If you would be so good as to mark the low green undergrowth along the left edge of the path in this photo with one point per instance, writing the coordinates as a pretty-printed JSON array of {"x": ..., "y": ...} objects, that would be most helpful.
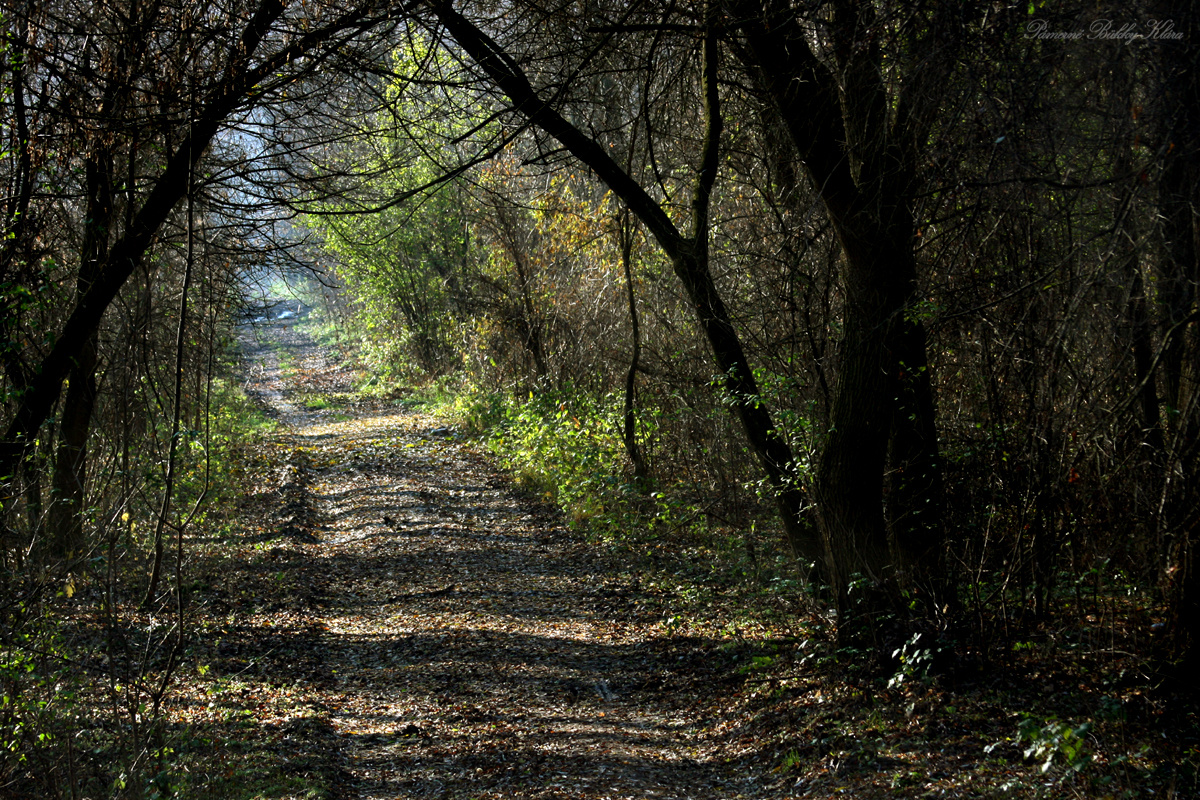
[{"x": 86, "y": 664}]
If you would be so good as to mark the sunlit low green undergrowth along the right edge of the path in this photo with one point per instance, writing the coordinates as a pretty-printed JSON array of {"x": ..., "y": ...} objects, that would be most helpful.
[{"x": 566, "y": 448}]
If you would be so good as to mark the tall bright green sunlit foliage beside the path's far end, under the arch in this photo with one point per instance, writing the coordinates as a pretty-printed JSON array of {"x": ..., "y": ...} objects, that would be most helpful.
[{"x": 404, "y": 267}]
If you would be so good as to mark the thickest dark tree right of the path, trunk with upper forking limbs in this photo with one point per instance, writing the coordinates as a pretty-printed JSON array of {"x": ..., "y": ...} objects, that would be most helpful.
[{"x": 879, "y": 480}]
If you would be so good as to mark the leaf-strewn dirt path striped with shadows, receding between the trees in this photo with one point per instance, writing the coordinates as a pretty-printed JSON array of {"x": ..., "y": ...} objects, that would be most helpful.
[{"x": 445, "y": 636}]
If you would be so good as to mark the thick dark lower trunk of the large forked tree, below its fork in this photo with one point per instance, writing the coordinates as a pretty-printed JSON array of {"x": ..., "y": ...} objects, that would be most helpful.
[{"x": 879, "y": 479}]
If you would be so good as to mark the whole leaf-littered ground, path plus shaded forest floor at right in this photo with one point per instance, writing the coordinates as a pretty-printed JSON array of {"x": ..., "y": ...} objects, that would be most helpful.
[{"x": 394, "y": 619}]
